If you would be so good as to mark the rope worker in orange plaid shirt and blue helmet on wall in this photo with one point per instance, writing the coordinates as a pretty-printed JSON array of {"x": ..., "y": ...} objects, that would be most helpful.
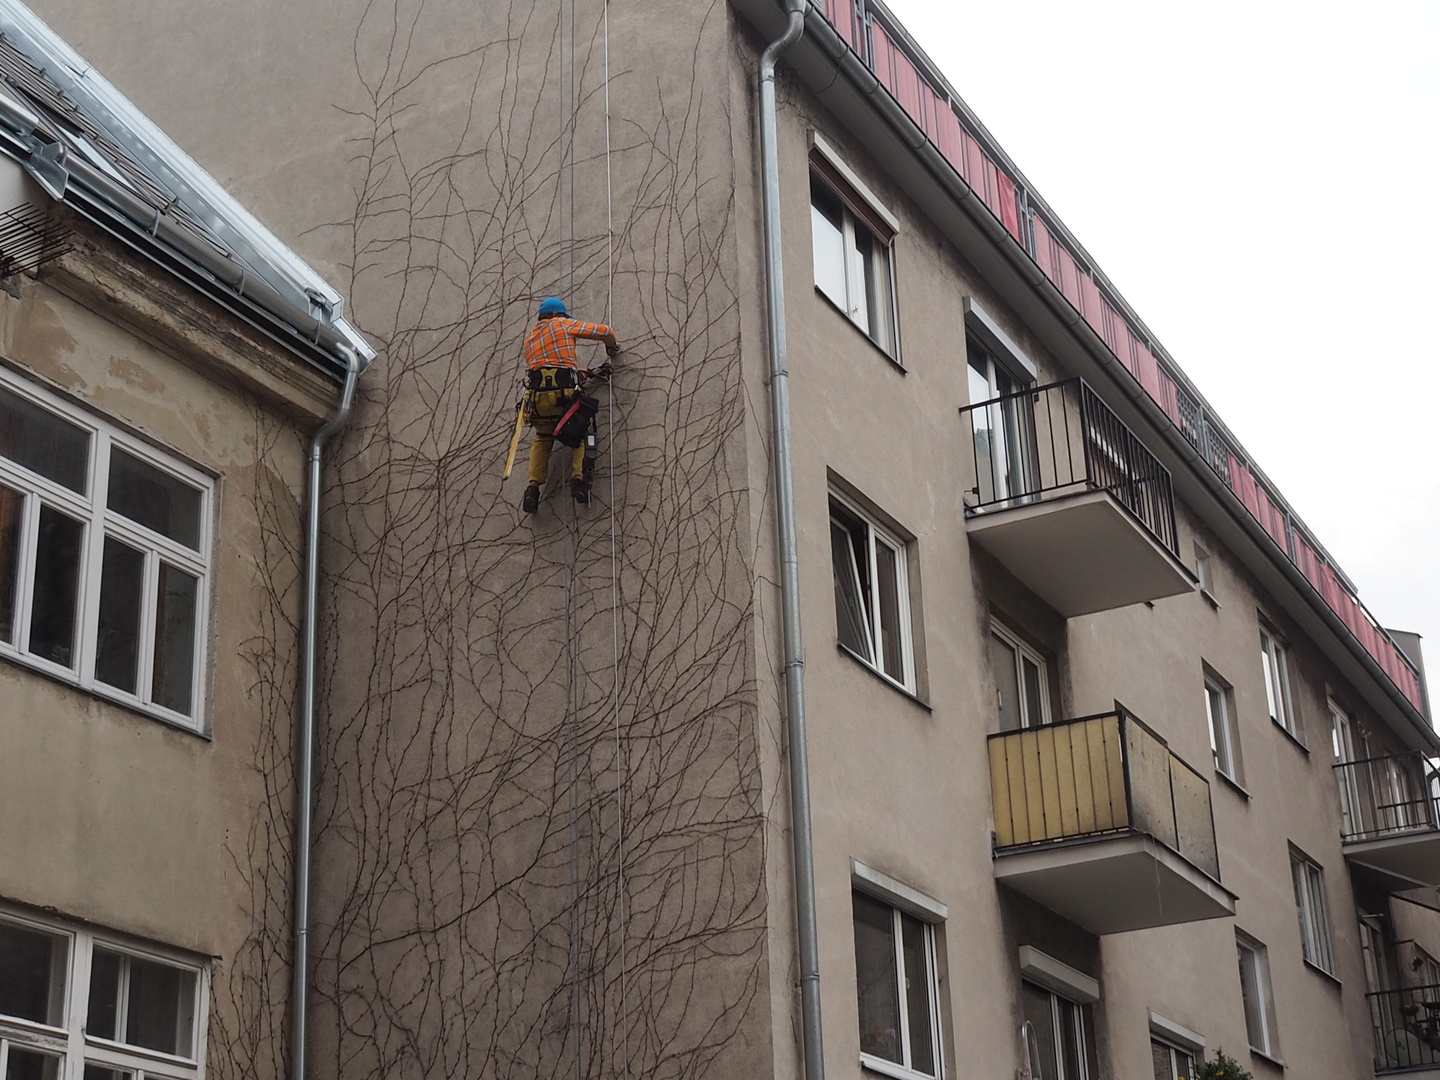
[{"x": 554, "y": 404}]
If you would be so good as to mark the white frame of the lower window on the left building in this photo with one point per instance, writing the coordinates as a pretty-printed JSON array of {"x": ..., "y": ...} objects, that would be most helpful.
[{"x": 70, "y": 1042}]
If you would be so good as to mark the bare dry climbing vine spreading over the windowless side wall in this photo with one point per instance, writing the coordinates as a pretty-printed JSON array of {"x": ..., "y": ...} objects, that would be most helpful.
[{"x": 539, "y": 833}]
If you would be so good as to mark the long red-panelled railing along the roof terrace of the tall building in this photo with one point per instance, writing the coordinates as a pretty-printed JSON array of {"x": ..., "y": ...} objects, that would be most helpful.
[{"x": 882, "y": 44}]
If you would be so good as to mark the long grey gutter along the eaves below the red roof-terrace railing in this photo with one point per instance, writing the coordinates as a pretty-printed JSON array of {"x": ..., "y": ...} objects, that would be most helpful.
[{"x": 843, "y": 63}]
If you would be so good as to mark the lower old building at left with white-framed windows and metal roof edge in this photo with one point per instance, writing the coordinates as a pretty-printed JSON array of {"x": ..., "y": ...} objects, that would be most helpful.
[{"x": 155, "y": 417}]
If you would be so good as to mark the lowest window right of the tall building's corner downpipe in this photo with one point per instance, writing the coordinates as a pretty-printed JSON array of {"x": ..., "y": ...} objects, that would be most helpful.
[{"x": 898, "y": 990}]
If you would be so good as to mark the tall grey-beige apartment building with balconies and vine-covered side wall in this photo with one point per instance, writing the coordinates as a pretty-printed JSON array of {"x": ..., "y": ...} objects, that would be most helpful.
[{"x": 1110, "y": 767}]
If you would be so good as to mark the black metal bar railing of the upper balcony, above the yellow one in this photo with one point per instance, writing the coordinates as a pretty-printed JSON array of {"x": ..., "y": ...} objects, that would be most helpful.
[{"x": 1061, "y": 440}]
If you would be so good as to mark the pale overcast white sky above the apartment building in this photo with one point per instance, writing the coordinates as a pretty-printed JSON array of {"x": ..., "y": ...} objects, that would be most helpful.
[{"x": 1258, "y": 179}]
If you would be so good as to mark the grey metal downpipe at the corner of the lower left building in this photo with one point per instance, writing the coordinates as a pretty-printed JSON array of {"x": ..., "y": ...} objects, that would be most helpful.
[{"x": 305, "y": 773}]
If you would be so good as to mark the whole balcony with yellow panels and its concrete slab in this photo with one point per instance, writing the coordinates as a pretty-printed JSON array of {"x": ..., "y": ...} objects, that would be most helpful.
[{"x": 1097, "y": 820}]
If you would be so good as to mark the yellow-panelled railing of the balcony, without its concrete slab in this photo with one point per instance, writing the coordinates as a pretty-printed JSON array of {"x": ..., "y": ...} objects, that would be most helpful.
[{"x": 1097, "y": 777}]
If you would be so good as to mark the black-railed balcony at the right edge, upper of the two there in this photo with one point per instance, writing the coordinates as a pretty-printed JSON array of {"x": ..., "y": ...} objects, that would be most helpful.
[{"x": 1390, "y": 819}]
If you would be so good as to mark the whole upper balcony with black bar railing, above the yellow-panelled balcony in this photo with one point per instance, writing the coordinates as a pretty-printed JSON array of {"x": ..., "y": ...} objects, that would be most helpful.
[{"x": 1071, "y": 502}]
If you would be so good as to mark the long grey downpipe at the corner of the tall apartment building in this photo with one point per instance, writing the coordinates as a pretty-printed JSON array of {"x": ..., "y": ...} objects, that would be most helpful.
[{"x": 804, "y": 852}]
